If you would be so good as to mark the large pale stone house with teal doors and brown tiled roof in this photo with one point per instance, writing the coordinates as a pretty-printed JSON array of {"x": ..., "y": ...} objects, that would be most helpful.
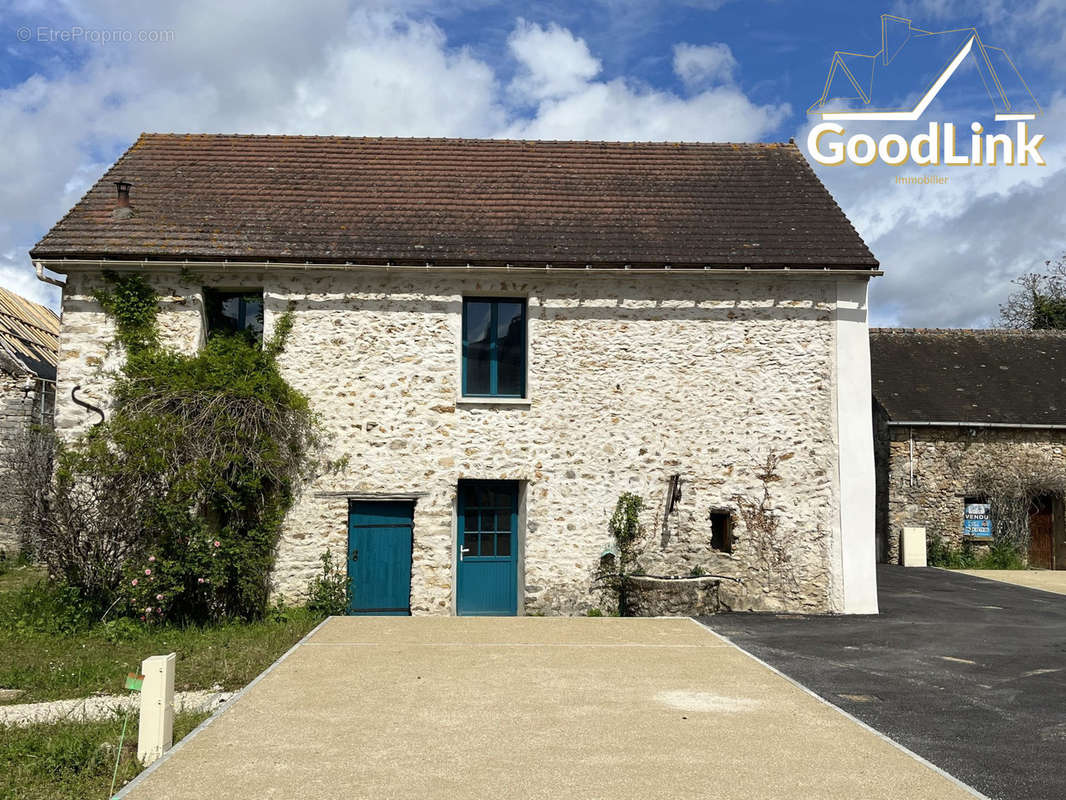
[{"x": 502, "y": 338}]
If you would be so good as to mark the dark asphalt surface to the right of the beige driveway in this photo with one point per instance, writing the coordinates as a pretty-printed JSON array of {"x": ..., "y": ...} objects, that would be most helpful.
[{"x": 968, "y": 674}]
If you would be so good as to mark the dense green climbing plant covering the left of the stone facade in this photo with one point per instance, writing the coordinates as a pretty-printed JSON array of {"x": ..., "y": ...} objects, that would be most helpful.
[{"x": 208, "y": 453}]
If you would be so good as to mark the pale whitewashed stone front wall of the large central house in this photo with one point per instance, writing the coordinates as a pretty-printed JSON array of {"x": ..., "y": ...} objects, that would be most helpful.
[{"x": 632, "y": 380}]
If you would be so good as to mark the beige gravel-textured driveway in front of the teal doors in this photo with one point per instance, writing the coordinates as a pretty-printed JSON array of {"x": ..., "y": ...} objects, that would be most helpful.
[{"x": 532, "y": 708}]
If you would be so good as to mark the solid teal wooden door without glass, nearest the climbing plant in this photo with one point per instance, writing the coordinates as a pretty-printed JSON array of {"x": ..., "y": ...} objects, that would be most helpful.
[{"x": 379, "y": 557}]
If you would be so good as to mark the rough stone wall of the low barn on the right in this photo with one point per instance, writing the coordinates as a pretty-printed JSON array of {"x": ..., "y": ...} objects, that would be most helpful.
[{"x": 929, "y": 490}]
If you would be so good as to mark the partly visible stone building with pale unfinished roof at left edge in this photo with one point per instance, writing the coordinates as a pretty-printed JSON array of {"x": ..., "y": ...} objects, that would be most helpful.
[{"x": 29, "y": 345}]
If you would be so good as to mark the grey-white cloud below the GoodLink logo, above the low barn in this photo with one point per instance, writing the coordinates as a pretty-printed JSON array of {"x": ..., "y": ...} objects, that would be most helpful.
[{"x": 950, "y": 251}]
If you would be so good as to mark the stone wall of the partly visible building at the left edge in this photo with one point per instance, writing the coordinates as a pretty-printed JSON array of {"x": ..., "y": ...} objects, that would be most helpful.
[{"x": 22, "y": 396}]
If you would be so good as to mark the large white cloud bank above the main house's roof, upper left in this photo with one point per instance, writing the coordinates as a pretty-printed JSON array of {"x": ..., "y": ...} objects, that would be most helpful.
[{"x": 357, "y": 69}]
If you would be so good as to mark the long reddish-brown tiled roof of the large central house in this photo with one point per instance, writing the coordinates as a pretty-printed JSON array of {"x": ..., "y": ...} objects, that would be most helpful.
[{"x": 456, "y": 202}]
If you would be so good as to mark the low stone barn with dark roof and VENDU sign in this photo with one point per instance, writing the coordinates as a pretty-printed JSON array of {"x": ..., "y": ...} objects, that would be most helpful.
[{"x": 950, "y": 403}]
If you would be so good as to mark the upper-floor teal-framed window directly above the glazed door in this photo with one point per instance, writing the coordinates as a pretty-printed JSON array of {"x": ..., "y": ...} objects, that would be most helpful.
[{"x": 494, "y": 347}]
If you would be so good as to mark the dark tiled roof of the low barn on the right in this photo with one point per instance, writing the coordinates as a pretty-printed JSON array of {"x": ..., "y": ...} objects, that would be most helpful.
[{"x": 971, "y": 376}]
